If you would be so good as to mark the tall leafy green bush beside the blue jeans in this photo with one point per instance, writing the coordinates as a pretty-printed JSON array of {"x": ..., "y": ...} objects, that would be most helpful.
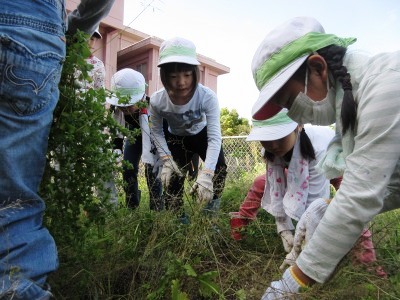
[{"x": 80, "y": 159}]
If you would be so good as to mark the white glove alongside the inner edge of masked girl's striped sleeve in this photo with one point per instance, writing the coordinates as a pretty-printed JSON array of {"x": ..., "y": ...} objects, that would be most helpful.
[{"x": 305, "y": 229}]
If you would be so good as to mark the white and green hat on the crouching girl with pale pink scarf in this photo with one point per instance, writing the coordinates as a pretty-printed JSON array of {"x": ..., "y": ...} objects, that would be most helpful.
[{"x": 273, "y": 128}]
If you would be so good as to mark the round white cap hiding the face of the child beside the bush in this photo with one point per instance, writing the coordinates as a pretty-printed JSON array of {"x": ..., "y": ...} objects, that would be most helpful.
[{"x": 127, "y": 82}]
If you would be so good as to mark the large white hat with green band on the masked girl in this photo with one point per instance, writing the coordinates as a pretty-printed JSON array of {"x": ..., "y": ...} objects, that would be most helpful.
[{"x": 281, "y": 54}]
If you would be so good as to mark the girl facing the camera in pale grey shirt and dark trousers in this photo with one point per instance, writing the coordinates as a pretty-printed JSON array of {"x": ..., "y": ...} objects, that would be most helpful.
[{"x": 193, "y": 117}]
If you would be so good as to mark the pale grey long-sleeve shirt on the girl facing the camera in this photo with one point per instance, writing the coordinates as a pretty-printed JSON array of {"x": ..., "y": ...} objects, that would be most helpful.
[{"x": 186, "y": 120}]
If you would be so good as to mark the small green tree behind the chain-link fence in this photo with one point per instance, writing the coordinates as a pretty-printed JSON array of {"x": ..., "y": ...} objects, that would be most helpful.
[{"x": 232, "y": 124}]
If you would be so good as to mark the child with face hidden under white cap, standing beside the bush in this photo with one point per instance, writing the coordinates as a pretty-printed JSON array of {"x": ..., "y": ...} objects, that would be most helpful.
[{"x": 132, "y": 113}]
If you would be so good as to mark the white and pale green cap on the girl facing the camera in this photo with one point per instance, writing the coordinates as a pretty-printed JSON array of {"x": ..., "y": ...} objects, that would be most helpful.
[{"x": 178, "y": 50}]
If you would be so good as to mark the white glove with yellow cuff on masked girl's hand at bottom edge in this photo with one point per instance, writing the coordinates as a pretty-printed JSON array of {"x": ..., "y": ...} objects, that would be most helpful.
[{"x": 286, "y": 288}]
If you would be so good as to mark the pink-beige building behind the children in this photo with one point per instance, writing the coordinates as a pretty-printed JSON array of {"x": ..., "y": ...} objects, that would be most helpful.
[{"x": 125, "y": 47}]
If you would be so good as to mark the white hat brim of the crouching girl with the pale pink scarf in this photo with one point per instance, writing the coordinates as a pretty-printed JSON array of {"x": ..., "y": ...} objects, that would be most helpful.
[{"x": 271, "y": 133}]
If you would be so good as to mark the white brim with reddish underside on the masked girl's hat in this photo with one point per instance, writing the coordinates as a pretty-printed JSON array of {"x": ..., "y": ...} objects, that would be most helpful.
[{"x": 263, "y": 109}]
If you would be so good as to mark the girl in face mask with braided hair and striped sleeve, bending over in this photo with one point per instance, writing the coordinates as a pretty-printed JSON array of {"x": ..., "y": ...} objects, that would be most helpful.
[{"x": 313, "y": 74}]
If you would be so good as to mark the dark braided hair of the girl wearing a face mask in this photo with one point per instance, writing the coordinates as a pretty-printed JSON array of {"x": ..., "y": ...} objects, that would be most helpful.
[{"x": 333, "y": 56}]
